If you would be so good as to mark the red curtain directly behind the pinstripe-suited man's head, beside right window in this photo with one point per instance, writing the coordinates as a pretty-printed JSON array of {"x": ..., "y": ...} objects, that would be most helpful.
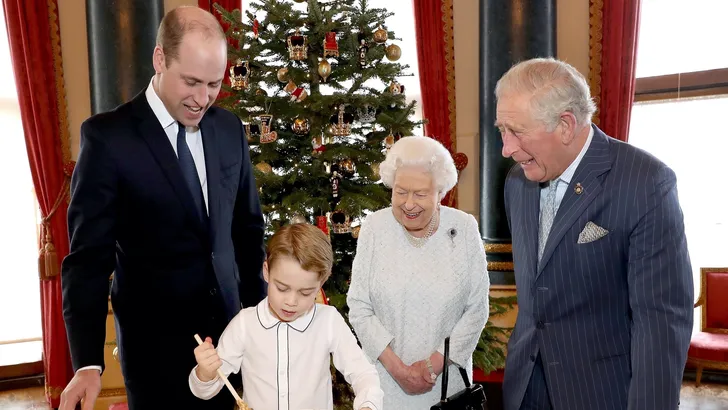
[{"x": 614, "y": 33}]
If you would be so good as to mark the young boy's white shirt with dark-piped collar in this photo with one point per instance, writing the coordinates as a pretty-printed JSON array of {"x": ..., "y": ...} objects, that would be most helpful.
[{"x": 285, "y": 365}]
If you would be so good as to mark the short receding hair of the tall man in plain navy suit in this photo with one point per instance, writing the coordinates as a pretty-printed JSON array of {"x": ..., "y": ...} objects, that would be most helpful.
[{"x": 175, "y": 25}]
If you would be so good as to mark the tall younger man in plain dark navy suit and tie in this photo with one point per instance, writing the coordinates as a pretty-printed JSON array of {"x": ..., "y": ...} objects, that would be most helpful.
[{"x": 163, "y": 196}]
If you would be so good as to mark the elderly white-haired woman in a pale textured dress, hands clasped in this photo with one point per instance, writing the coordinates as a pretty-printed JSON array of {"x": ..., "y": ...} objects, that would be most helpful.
[{"x": 419, "y": 276}]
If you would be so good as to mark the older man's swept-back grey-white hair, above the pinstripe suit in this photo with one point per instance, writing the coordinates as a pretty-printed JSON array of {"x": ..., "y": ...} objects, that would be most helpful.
[{"x": 555, "y": 87}]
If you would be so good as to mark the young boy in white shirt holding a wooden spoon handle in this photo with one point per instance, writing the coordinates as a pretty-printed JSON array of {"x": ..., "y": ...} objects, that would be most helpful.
[{"x": 284, "y": 344}]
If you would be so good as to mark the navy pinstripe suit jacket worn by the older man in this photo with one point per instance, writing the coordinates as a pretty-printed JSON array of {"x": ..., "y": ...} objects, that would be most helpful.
[{"x": 612, "y": 318}]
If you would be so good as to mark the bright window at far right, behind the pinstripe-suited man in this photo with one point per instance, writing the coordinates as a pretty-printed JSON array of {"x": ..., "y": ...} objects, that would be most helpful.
[{"x": 681, "y": 95}]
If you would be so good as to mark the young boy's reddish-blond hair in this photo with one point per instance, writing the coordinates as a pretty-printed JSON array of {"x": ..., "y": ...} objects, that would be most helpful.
[{"x": 304, "y": 243}]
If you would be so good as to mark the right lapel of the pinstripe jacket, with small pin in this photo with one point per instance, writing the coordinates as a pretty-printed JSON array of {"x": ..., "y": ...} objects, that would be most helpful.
[{"x": 595, "y": 162}]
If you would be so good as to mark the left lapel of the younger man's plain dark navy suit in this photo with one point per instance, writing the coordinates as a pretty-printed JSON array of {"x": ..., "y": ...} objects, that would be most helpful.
[{"x": 153, "y": 134}]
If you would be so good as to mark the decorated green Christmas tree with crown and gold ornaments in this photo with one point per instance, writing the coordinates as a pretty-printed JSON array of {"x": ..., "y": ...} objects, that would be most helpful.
[{"x": 315, "y": 84}]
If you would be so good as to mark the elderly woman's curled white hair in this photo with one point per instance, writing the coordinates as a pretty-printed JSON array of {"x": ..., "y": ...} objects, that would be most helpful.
[{"x": 421, "y": 152}]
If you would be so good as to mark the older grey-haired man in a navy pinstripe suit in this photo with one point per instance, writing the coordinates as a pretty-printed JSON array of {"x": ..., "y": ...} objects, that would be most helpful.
[{"x": 603, "y": 276}]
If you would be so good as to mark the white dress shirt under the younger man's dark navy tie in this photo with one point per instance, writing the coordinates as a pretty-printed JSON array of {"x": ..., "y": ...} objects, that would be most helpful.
[{"x": 193, "y": 136}]
